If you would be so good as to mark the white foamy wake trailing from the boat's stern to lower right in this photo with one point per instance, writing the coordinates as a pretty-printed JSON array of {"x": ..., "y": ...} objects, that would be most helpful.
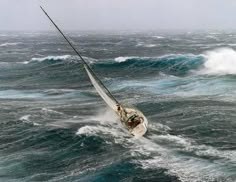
[{"x": 186, "y": 168}]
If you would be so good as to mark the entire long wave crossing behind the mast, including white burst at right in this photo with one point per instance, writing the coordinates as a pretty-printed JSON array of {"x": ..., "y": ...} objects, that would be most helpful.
[{"x": 219, "y": 61}]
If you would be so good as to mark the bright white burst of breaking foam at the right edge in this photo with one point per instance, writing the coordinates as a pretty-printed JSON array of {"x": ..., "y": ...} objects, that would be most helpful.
[{"x": 220, "y": 61}]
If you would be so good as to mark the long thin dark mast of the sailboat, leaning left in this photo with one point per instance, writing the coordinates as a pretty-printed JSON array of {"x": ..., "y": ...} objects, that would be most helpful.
[{"x": 82, "y": 59}]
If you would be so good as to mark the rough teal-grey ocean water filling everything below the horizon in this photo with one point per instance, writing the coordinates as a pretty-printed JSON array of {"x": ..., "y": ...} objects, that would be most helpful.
[{"x": 55, "y": 127}]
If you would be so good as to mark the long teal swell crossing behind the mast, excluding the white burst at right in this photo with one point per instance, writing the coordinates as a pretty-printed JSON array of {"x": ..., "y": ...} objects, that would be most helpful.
[{"x": 169, "y": 64}]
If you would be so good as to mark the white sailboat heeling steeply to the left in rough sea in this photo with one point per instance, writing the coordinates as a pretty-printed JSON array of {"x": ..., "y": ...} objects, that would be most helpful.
[{"x": 132, "y": 119}]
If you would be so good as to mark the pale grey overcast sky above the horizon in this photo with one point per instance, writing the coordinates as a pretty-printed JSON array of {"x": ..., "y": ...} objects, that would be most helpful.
[{"x": 119, "y": 14}]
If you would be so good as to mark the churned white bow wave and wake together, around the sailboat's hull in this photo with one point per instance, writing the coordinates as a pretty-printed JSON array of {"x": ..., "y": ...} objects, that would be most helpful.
[{"x": 152, "y": 153}]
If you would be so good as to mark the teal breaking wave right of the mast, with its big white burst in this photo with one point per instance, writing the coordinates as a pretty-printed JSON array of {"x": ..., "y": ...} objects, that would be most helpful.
[{"x": 215, "y": 62}]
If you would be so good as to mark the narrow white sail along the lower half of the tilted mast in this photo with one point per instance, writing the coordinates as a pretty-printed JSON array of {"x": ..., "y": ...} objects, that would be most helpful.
[{"x": 110, "y": 102}]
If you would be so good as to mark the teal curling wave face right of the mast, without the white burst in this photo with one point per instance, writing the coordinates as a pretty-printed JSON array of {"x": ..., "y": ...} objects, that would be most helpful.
[{"x": 174, "y": 64}]
